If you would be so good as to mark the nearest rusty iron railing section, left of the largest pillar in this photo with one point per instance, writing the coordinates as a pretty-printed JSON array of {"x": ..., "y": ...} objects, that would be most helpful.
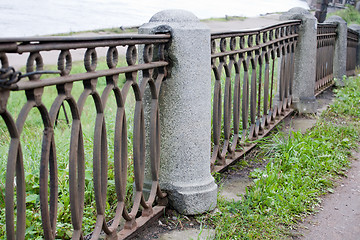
[{"x": 152, "y": 69}]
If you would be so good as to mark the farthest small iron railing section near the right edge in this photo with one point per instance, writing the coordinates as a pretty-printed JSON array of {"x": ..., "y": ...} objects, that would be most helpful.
[{"x": 352, "y": 42}]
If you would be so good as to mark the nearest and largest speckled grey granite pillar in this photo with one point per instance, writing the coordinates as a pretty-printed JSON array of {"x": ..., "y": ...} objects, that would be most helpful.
[{"x": 185, "y": 113}]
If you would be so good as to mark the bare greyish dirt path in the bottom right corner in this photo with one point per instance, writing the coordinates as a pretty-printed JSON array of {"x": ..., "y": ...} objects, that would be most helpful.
[{"x": 339, "y": 215}]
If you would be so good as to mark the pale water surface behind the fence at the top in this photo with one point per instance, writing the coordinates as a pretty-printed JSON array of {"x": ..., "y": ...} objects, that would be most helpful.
[{"x": 29, "y": 18}]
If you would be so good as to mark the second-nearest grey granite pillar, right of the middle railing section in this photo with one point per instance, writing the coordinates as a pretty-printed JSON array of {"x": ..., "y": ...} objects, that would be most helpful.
[{"x": 304, "y": 99}]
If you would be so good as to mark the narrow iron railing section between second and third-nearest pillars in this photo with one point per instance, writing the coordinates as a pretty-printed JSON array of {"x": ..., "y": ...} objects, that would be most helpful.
[{"x": 326, "y": 37}]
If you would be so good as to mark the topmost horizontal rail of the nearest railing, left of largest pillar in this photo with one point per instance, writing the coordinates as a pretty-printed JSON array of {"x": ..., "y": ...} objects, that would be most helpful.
[{"x": 35, "y": 44}]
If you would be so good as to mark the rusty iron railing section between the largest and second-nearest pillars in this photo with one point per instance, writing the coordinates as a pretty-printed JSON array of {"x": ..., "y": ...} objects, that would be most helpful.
[{"x": 253, "y": 72}]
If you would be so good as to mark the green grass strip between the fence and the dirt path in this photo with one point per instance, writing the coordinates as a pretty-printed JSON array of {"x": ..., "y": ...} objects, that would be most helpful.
[{"x": 301, "y": 168}]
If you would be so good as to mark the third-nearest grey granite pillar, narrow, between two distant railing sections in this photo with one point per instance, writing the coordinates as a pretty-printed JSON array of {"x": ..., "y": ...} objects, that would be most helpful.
[{"x": 340, "y": 48}]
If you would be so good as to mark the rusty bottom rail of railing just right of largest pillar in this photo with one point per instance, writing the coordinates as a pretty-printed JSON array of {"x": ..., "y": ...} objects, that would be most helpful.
[{"x": 247, "y": 148}]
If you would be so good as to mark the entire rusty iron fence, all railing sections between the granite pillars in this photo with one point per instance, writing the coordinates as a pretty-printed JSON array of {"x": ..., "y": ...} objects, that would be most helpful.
[{"x": 253, "y": 74}]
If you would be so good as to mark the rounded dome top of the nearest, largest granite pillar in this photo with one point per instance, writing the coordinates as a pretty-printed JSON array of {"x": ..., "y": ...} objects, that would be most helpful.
[{"x": 174, "y": 15}]
